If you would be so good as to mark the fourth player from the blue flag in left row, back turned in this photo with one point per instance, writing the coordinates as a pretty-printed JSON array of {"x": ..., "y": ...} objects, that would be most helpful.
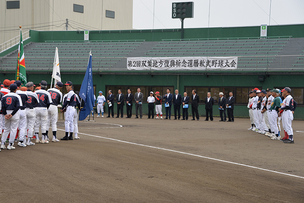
[{"x": 31, "y": 104}]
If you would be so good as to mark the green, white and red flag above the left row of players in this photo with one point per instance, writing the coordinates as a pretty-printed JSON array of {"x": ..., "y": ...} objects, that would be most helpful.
[{"x": 20, "y": 71}]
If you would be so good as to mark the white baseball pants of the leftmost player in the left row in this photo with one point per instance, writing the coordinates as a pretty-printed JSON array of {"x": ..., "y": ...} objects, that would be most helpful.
[{"x": 10, "y": 127}]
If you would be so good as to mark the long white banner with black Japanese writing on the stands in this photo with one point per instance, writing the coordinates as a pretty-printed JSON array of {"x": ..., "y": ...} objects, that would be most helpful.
[{"x": 181, "y": 63}]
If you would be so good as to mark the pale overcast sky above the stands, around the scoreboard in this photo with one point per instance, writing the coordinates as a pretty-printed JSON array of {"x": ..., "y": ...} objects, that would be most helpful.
[{"x": 223, "y": 13}]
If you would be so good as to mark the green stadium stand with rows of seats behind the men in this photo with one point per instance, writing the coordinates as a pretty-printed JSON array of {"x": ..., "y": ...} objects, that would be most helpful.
[{"x": 273, "y": 61}]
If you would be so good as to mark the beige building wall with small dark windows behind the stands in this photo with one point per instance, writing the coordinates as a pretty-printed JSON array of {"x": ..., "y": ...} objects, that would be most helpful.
[{"x": 52, "y": 14}]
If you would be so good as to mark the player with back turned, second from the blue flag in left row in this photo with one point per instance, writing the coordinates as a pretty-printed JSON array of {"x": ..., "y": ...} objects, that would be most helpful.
[{"x": 56, "y": 97}]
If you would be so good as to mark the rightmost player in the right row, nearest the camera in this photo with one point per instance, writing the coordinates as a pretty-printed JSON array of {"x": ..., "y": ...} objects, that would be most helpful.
[{"x": 287, "y": 114}]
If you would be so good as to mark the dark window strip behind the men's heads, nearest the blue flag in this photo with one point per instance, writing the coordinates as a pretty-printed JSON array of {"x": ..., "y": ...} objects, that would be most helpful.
[{"x": 144, "y": 89}]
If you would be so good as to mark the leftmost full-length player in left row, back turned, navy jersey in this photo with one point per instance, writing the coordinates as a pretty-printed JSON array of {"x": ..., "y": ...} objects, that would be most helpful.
[{"x": 10, "y": 109}]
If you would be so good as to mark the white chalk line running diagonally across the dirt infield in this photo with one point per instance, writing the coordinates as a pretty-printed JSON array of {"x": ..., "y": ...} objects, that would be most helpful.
[{"x": 190, "y": 154}]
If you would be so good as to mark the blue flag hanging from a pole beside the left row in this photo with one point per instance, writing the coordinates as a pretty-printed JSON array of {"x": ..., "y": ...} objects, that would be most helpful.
[{"x": 87, "y": 92}]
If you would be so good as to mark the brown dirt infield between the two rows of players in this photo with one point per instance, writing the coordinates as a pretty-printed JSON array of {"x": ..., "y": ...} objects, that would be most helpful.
[{"x": 155, "y": 161}]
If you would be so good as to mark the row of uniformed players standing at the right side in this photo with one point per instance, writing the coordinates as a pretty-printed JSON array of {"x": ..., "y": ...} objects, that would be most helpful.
[{"x": 267, "y": 108}]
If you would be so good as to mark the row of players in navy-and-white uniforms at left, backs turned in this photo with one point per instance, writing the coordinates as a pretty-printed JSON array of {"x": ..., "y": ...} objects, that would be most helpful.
[{"x": 25, "y": 110}]
